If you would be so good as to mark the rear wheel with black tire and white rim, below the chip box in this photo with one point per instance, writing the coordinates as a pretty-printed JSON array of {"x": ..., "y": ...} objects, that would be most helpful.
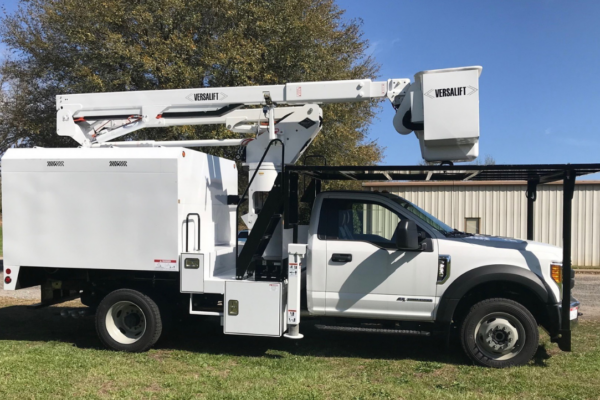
[{"x": 128, "y": 320}]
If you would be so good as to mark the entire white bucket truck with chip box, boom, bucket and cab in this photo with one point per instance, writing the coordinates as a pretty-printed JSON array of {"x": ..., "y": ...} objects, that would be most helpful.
[{"x": 136, "y": 229}]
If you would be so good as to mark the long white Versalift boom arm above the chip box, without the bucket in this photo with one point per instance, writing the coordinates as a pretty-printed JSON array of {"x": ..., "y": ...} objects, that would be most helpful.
[{"x": 99, "y": 117}]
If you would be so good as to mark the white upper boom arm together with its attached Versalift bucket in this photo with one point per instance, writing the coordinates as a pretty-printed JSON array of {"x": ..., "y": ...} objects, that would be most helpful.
[{"x": 441, "y": 107}]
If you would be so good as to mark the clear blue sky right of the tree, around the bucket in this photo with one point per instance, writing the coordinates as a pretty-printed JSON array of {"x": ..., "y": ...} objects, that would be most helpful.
[{"x": 540, "y": 86}]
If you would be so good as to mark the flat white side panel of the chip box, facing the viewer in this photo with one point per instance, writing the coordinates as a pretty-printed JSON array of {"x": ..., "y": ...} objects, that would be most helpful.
[{"x": 90, "y": 208}]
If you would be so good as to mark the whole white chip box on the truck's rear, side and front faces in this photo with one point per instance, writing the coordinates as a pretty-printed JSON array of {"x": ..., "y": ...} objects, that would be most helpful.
[{"x": 114, "y": 208}]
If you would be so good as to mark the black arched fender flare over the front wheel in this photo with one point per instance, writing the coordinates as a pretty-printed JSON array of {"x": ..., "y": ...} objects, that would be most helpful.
[{"x": 489, "y": 273}]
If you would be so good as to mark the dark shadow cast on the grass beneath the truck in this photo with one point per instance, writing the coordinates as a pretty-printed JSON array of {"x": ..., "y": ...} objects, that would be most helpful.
[{"x": 205, "y": 335}]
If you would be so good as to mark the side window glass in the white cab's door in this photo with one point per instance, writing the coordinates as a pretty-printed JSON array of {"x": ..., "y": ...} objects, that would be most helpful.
[{"x": 358, "y": 220}]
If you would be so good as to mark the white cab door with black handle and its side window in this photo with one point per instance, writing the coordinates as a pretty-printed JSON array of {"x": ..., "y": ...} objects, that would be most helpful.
[{"x": 367, "y": 276}]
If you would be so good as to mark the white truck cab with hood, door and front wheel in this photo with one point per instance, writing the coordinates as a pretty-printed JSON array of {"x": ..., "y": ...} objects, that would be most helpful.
[{"x": 377, "y": 256}]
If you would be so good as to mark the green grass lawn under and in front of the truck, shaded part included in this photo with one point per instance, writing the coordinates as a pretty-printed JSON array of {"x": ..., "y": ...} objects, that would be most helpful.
[{"x": 42, "y": 356}]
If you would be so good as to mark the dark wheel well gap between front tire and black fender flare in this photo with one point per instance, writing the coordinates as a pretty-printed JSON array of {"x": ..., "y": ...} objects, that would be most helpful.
[{"x": 508, "y": 290}]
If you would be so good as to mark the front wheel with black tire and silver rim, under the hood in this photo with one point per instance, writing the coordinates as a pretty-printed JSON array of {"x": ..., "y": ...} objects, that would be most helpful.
[{"x": 499, "y": 333}]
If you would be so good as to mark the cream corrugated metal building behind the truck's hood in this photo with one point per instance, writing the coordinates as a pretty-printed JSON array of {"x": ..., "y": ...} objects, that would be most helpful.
[{"x": 500, "y": 208}]
